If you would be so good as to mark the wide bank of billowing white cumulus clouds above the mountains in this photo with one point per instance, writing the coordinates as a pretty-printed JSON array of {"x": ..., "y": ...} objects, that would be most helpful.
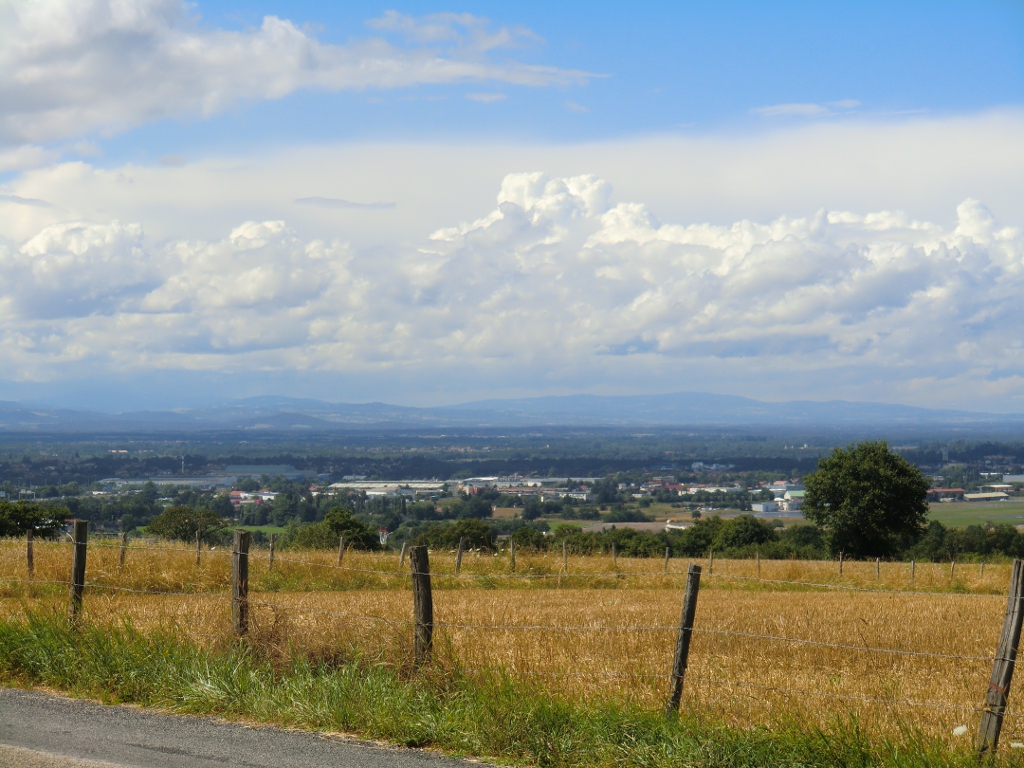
[{"x": 559, "y": 275}]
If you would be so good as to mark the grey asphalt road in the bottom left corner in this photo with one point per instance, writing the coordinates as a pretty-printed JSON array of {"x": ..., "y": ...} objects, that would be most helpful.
[{"x": 39, "y": 731}]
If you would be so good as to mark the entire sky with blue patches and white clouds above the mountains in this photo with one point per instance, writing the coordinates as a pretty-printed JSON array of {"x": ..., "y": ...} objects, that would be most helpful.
[{"x": 428, "y": 204}]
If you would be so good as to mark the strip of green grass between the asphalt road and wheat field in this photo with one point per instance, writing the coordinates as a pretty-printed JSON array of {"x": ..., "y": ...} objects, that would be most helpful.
[{"x": 505, "y": 720}]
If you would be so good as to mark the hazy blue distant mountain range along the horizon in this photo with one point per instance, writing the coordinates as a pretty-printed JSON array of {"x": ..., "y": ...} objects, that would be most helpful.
[{"x": 681, "y": 409}]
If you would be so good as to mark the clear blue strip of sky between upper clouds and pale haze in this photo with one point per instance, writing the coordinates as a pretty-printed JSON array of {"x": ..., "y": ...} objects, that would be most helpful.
[{"x": 695, "y": 68}]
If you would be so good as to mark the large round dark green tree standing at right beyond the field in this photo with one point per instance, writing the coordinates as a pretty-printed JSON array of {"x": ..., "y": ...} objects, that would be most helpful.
[{"x": 868, "y": 501}]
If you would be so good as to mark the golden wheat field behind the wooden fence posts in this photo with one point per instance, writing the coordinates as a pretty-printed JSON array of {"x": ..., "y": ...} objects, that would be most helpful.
[{"x": 800, "y": 642}]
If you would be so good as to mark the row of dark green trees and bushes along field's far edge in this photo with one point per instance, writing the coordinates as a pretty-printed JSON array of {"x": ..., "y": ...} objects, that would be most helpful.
[{"x": 864, "y": 501}]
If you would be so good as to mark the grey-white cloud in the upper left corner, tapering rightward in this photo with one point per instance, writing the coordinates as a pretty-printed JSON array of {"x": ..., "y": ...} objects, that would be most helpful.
[{"x": 68, "y": 67}]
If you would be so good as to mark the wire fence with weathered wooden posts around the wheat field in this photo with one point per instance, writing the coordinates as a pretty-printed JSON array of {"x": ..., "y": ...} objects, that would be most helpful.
[{"x": 422, "y": 624}]
